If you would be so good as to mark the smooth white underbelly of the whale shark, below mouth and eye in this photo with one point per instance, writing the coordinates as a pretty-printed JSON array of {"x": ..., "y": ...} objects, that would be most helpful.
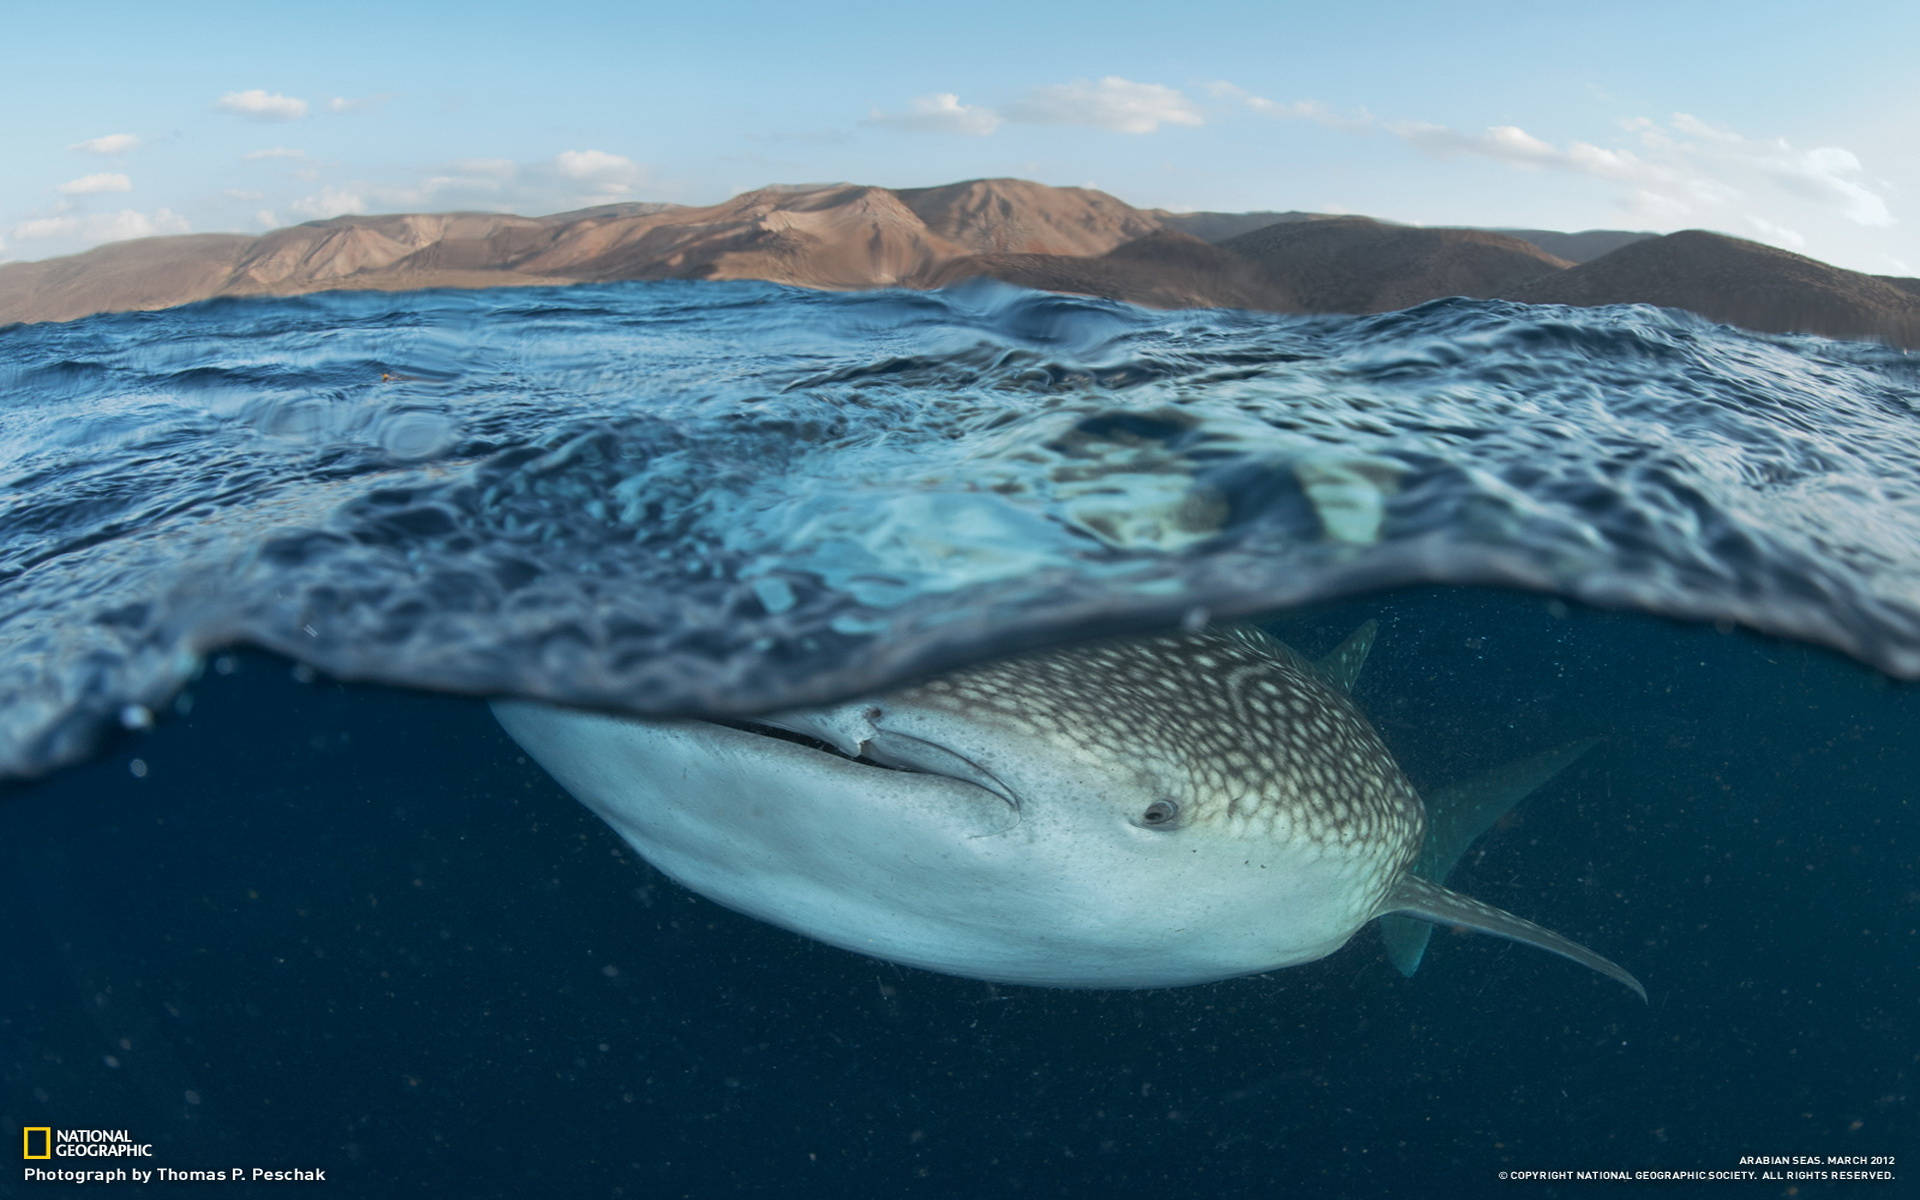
[{"x": 913, "y": 869}]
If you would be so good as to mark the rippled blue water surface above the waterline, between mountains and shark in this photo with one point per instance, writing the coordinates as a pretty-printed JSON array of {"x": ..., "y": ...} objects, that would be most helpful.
[{"x": 719, "y": 498}]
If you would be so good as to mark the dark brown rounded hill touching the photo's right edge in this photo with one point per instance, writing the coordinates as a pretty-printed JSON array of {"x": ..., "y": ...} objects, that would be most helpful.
[{"x": 1740, "y": 283}]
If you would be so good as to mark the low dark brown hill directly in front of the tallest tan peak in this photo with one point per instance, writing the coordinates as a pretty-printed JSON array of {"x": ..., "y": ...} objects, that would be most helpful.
[{"x": 1164, "y": 270}]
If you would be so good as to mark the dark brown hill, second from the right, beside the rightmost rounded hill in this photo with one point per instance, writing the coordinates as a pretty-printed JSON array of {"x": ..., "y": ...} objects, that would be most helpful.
[{"x": 1362, "y": 266}]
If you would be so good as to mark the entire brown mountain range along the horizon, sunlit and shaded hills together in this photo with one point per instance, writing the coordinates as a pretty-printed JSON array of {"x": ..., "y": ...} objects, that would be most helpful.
[{"x": 1059, "y": 239}]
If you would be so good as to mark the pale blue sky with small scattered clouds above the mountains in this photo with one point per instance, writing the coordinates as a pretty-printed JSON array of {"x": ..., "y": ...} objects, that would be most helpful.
[{"x": 1785, "y": 124}]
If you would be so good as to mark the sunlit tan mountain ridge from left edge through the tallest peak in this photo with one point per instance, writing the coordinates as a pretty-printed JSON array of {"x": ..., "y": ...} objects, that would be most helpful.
[{"x": 823, "y": 237}]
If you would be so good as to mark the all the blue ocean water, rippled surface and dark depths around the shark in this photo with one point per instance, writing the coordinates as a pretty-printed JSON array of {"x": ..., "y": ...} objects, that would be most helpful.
[{"x": 285, "y": 896}]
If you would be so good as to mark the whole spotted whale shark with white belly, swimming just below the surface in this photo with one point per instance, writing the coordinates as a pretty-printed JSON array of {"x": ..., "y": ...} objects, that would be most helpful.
[{"x": 1134, "y": 813}]
